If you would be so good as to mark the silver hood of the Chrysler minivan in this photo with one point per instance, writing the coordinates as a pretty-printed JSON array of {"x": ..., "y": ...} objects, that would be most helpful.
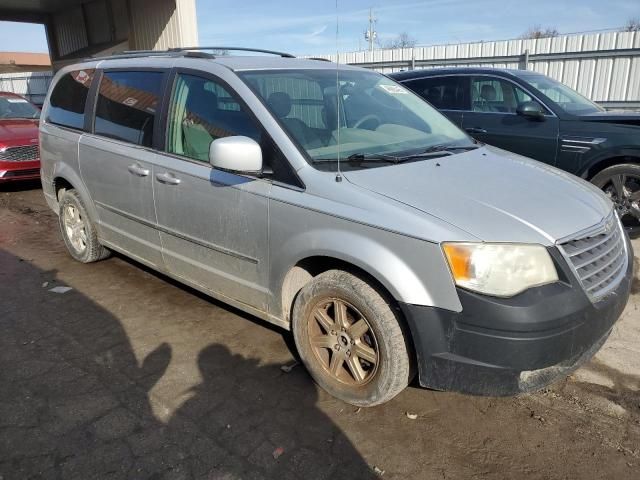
[{"x": 492, "y": 194}]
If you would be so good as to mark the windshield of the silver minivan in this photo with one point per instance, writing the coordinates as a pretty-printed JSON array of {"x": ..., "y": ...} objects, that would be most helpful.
[{"x": 376, "y": 116}]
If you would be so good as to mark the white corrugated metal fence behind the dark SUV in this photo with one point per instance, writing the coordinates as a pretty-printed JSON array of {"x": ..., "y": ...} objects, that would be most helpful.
[{"x": 613, "y": 77}]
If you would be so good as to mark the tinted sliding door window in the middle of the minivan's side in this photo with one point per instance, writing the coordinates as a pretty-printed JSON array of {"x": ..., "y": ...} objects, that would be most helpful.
[{"x": 127, "y": 106}]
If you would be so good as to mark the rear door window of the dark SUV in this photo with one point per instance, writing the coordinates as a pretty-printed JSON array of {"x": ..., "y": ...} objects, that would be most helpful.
[{"x": 446, "y": 93}]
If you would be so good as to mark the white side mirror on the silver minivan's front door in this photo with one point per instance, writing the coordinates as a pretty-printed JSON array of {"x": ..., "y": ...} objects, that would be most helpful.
[{"x": 236, "y": 154}]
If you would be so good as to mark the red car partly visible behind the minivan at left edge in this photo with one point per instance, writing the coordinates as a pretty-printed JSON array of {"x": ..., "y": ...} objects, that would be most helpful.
[{"x": 19, "y": 152}]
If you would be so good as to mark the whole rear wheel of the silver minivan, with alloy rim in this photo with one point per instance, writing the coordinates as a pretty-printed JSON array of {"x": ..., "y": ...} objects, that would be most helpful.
[{"x": 78, "y": 232}]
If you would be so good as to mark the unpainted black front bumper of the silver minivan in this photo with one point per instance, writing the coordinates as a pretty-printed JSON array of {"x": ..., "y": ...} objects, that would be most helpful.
[{"x": 498, "y": 346}]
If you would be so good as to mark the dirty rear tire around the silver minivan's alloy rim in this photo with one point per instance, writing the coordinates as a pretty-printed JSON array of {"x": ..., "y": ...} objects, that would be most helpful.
[{"x": 92, "y": 250}]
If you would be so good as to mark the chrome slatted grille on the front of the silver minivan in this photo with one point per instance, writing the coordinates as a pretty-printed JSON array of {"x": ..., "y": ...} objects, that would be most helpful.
[{"x": 598, "y": 257}]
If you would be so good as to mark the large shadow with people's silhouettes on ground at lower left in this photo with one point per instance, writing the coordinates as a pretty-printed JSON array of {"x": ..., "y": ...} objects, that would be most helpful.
[{"x": 75, "y": 402}]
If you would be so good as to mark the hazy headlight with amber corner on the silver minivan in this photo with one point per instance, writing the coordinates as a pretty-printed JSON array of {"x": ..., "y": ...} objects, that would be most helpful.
[{"x": 499, "y": 269}]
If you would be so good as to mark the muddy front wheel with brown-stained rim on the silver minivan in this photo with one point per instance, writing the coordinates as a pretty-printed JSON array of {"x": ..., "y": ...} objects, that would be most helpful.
[{"x": 391, "y": 371}]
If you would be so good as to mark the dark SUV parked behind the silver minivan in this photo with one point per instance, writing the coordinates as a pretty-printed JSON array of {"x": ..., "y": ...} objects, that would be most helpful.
[{"x": 533, "y": 115}]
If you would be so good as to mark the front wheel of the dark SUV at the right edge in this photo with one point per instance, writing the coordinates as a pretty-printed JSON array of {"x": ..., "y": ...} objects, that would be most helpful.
[{"x": 627, "y": 201}]
